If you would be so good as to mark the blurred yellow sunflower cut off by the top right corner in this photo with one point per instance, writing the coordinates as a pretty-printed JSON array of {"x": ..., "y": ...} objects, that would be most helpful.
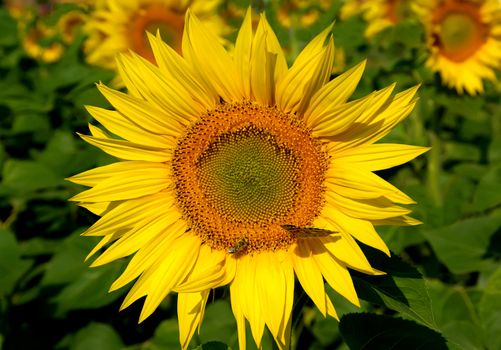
[{"x": 464, "y": 41}]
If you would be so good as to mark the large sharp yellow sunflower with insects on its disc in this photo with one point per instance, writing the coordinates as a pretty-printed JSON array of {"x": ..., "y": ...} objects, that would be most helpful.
[{"x": 239, "y": 170}]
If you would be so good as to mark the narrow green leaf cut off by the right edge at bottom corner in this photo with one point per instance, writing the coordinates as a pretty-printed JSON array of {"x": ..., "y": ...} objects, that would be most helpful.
[{"x": 490, "y": 311}]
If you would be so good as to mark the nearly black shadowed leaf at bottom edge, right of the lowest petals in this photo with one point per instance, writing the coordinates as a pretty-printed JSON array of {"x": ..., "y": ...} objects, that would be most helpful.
[{"x": 370, "y": 331}]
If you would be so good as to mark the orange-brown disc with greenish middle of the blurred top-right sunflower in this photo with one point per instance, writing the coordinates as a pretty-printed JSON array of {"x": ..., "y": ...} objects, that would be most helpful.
[{"x": 461, "y": 31}]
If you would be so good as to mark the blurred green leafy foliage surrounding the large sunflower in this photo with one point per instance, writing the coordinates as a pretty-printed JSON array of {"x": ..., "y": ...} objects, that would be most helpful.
[{"x": 448, "y": 268}]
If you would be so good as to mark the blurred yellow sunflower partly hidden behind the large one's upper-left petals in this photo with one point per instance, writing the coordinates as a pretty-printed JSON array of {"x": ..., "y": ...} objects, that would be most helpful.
[{"x": 118, "y": 26}]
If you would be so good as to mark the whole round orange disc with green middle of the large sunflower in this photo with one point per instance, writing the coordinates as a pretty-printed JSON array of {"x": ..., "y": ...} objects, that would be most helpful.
[{"x": 243, "y": 171}]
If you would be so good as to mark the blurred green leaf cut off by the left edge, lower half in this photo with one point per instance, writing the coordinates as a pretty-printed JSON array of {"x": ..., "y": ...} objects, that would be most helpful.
[{"x": 12, "y": 267}]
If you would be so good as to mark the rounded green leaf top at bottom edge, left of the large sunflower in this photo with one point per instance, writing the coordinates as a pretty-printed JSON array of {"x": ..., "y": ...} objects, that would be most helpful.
[{"x": 97, "y": 336}]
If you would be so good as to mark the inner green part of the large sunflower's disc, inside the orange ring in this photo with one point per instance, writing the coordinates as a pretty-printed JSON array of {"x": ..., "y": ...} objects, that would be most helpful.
[{"x": 248, "y": 177}]
